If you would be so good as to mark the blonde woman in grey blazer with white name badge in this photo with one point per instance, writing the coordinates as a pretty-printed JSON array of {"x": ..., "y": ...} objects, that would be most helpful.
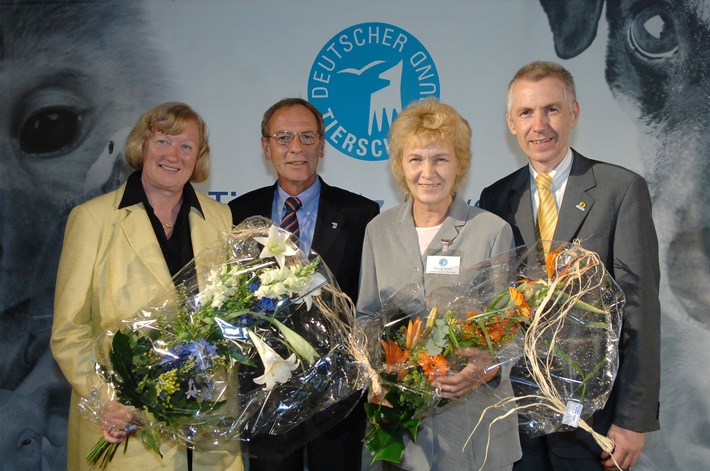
[{"x": 430, "y": 153}]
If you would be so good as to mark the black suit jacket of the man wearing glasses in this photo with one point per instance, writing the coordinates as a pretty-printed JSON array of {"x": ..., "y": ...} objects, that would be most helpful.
[{"x": 337, "y": 238}]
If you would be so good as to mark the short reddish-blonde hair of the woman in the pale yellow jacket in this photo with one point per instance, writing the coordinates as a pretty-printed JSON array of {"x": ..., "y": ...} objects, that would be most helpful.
[{"x": 168, "y": 118}]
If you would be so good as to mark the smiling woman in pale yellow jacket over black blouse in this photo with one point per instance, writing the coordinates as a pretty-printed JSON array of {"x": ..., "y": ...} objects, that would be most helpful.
[{"x": 120, "y": 250}]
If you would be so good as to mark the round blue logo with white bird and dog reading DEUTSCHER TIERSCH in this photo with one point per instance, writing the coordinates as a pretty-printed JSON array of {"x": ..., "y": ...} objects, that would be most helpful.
[{"x": 361, "y": 80}]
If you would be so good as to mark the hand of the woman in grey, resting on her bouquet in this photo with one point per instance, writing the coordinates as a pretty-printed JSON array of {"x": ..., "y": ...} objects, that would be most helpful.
[{"x": 481, "y": 368}]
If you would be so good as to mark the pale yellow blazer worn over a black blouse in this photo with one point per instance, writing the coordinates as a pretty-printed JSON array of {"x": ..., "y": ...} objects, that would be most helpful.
[{"x": 111, "y": 265}]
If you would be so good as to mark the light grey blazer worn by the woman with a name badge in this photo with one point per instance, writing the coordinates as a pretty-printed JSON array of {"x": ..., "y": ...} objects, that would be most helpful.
[{"x": 390, "y": 260}]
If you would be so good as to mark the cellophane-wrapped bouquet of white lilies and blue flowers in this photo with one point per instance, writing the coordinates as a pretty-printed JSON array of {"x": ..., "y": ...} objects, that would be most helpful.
[{"x": 256, "y": 339}]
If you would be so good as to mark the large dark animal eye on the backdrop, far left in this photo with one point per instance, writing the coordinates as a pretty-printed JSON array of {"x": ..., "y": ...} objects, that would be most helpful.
[{"x": 50, "y": 124}]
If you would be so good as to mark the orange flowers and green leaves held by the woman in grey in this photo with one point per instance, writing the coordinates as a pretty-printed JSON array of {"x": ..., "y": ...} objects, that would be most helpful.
[{"x": 414, "y": 350}]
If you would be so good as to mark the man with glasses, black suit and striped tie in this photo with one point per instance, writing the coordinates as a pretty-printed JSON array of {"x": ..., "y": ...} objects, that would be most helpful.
[{"x": 331, "y": 221}]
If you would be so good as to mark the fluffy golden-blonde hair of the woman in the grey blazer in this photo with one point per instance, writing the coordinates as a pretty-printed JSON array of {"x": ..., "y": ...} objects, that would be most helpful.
[{"x": 429, "y": 122}]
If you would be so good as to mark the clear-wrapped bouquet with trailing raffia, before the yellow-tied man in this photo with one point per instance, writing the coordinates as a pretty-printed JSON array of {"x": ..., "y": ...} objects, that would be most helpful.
[{"x": 571, "y": 353}]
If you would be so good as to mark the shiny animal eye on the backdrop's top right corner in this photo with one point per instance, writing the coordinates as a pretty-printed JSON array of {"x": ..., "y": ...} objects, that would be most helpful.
[{"x": 652, "y": 32}]
